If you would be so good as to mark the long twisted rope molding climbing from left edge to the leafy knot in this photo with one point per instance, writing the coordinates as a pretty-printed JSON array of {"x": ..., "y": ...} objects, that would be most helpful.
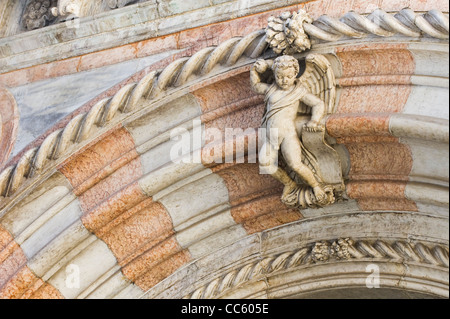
[{"x": 125, "y": 101}]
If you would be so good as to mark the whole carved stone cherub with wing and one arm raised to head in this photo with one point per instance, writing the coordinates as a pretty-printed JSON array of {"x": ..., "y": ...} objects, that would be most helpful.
[{"x": 285, "y": 99}]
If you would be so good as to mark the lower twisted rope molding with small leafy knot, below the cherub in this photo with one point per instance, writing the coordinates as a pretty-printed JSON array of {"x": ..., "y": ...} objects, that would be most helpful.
[{"x": 324, "y": 251}]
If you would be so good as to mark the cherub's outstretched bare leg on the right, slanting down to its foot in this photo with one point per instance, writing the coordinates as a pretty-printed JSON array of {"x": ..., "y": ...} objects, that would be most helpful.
[{"x": 292, "y": 153}]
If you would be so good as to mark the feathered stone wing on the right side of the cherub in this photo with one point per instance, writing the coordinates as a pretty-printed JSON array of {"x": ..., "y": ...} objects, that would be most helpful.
[{"x": 319, "y": 79}]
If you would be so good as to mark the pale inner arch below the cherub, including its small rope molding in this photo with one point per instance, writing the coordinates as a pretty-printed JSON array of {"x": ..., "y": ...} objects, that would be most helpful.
[{"x": 302, "y": 260}]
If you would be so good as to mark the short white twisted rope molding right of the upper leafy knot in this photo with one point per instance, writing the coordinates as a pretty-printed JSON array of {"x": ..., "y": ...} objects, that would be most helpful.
[{"x": 379, "y": 23}]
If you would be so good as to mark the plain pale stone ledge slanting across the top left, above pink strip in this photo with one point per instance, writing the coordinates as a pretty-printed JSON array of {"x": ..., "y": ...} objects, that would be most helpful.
[{"x": 122, "y": 26}]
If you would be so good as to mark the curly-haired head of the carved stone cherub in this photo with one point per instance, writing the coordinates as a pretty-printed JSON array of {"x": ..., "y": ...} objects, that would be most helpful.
[{"x": 285, "y": 69}]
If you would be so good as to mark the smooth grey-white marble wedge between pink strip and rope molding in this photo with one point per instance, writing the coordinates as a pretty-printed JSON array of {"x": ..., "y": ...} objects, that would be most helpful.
[{"x": 38, "y": 109}]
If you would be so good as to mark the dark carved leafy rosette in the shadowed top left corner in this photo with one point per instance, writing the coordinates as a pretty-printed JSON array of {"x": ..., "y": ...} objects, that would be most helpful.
[{"x": 38, "y": 14}]
